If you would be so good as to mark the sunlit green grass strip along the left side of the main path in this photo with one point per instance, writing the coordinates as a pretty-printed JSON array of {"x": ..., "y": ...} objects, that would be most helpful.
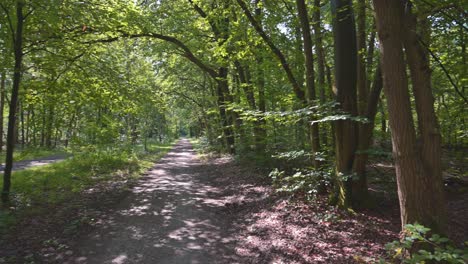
[{"x": 53, "y": 184}]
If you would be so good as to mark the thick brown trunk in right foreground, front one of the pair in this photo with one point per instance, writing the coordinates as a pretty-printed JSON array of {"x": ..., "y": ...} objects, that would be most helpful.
[{"x": 418, "y": 201}]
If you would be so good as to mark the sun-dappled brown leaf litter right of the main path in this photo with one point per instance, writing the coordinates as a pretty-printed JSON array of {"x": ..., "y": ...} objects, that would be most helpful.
[{"x": 292, "y": 233}]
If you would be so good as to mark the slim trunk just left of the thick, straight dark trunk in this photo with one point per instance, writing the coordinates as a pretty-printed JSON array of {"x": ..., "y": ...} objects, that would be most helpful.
[{"x": 310, "y": 75}]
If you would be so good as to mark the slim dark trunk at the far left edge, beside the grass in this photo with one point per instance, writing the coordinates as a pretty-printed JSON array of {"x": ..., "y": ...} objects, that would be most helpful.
[{"x": 18, "y": 48}]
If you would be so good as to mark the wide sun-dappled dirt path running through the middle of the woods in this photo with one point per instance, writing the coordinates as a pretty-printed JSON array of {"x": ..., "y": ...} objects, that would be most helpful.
[{"x": 174, "y": 214}]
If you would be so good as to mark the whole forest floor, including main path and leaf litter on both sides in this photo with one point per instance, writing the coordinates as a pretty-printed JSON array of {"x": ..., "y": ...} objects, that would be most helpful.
[{"x": 189, "y": 210}]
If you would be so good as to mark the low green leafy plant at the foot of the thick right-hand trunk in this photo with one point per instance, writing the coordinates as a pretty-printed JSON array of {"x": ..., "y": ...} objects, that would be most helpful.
[{"x": 419, "y": 245}]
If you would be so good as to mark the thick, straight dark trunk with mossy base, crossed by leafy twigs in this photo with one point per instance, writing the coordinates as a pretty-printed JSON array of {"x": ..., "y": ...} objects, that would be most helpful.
[{"x": 345, "y": 79}]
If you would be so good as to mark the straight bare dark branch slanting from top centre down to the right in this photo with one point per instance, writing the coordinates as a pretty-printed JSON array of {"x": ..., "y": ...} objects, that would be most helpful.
[{"x": 296, "y": 87}]
